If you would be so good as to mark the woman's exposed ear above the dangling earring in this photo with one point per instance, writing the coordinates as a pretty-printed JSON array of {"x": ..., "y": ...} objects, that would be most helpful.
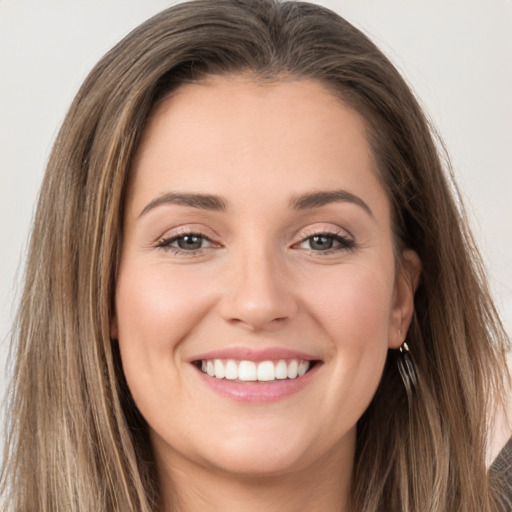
[{"x": 403, "y": 298}]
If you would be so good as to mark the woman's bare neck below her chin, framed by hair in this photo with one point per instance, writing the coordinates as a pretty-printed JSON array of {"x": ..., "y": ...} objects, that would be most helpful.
[{"x": 188, "y": 487}]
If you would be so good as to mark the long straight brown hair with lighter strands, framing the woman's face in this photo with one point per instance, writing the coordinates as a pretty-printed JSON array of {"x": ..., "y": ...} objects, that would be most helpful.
[{"x": 76, "y": 440}]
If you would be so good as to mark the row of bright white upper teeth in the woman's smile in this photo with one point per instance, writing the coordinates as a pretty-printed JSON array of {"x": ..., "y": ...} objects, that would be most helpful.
[{"x": 263, "y": 371}]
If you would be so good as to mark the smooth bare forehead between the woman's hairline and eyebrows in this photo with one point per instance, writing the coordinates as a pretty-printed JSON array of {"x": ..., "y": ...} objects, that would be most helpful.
[{"x": 232, "y": 134}]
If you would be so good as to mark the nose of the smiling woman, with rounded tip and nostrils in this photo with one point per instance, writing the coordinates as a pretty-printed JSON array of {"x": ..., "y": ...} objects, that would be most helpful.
[{"x": 258, "y": 295}]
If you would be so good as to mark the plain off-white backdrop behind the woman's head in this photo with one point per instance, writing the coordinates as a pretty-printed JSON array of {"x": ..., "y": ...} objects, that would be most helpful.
[{"x": 456, "y": 54}]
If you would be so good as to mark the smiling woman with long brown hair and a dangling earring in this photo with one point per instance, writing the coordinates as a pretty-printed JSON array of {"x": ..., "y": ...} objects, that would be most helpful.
[{"x": 257, "y": 288}]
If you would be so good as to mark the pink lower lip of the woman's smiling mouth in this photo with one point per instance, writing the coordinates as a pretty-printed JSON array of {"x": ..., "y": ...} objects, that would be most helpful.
[{"x": 271, "y": 391}]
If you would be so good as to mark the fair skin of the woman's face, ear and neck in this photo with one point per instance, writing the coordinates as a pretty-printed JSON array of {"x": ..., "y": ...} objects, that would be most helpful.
[{"x": 257, "y": 282}]
